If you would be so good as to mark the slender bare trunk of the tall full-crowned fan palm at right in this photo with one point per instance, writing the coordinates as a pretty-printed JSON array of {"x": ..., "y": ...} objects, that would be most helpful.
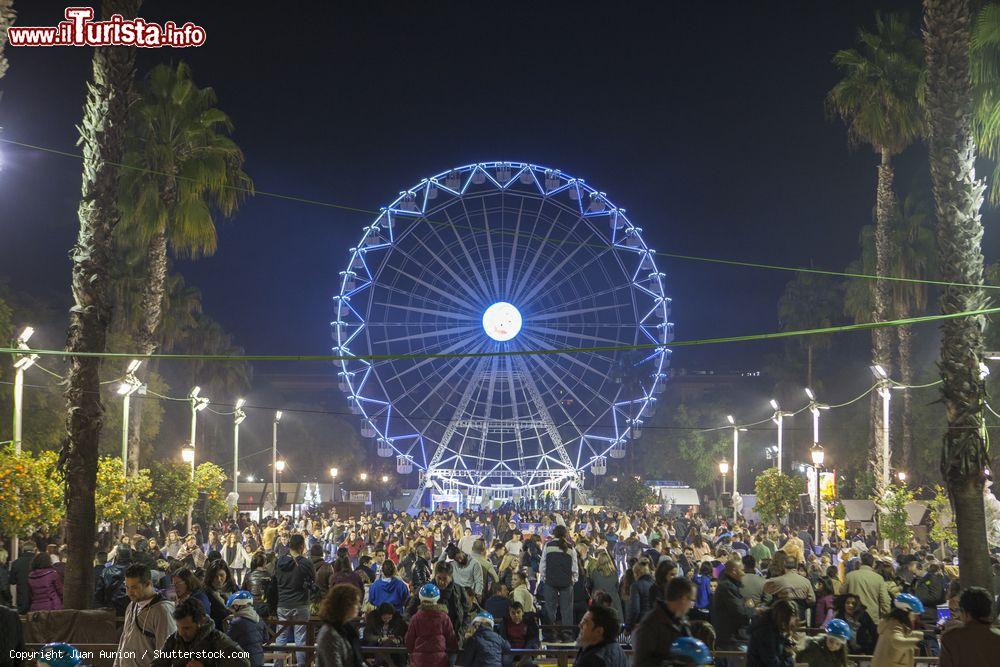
[{"x": 885, "y": 206}]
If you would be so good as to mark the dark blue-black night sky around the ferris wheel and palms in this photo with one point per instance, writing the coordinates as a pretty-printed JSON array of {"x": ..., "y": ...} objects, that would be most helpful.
[{"x": 704, "y": 120}]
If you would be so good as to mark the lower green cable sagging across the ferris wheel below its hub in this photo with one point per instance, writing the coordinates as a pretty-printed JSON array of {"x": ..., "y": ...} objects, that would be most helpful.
[{"x": 864, "y": 326}]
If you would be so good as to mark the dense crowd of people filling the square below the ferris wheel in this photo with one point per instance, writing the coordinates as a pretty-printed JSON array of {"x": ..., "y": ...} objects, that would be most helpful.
[{"x": 639, "y": 588}]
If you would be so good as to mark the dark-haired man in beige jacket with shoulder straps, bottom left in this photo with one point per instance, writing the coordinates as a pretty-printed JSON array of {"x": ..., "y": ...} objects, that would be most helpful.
[{"x": 148, "y": 622}]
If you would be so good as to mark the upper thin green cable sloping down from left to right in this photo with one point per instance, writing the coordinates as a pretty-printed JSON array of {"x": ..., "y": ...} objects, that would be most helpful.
[{"x": 353, "y": 209}]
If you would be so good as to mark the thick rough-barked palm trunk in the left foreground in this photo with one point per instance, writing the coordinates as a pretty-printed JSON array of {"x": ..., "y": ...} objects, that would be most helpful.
[{"x": 102, "y": 131}]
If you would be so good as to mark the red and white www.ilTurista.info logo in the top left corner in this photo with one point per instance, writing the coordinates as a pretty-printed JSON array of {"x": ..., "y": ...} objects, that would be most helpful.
[{"x": 79, "y": 29}]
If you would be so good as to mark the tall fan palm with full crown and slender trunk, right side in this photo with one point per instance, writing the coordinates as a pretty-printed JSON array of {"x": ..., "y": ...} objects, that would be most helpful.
[{"x": 878, "y": 100}]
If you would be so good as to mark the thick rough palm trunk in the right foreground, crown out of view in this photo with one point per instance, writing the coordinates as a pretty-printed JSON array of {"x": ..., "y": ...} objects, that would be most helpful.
[{"x": 958, "y": 197}]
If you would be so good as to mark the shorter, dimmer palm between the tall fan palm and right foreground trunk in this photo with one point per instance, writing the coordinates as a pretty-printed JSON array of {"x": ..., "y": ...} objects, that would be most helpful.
[{"x": 914, "y": 256}]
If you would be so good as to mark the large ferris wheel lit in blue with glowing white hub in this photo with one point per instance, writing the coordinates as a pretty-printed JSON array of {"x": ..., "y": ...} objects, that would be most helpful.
[{"x": 510, "y": 258}]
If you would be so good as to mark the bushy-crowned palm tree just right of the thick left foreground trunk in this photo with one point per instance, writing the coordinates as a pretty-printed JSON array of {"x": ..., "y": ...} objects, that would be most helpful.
[{"x": 188, "y": 171}]
